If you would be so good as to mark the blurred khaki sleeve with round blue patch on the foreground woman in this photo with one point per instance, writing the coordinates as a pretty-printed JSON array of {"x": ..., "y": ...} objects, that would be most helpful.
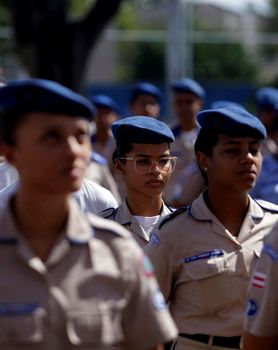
[{"x": 146, "y": 321}]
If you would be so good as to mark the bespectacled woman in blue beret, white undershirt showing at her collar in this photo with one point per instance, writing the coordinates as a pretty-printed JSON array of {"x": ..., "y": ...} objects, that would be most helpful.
[{"x": 143, "y": 160}]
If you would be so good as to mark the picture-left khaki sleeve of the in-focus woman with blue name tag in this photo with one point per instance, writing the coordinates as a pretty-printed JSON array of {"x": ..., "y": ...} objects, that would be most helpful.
[{"x": 159, "y": 254}]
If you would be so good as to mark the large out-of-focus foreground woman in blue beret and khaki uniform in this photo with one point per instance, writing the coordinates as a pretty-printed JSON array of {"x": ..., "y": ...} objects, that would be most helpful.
[{"x": 67, "y": 280}]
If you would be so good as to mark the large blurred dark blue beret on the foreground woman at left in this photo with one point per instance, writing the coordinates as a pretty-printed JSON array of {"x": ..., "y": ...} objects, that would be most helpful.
[{"x": 38, "y": 95}]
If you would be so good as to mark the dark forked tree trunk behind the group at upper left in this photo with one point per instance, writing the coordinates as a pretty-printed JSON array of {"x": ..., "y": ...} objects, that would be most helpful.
[{"x": 54, "y": 45}]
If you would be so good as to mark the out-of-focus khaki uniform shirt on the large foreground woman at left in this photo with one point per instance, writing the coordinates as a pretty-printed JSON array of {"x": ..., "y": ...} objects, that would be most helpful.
[{"x": 94, "y": 290}]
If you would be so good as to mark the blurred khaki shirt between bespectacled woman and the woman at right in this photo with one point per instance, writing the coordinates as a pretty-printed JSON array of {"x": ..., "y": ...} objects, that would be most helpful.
[{"x": 184, "y": 151}]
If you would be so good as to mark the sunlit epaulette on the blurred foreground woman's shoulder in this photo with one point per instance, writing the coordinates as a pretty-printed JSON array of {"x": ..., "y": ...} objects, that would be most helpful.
[{"x": 110, "y": 226}]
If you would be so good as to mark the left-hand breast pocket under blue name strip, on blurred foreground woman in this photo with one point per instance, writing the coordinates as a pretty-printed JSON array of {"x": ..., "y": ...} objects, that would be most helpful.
[{"x": 21, "y": 328}]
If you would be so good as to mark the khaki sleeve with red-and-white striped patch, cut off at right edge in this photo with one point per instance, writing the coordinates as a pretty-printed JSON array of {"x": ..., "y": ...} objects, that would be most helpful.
[{"x": 262, "y": 310}]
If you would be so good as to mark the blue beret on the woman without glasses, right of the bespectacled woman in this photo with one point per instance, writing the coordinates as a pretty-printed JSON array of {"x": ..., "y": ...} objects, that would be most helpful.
[{"x": 232, "y": 121}]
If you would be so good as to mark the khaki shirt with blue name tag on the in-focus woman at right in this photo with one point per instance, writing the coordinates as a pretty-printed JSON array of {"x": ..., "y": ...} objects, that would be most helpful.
[{"x": 203, "y": 270}]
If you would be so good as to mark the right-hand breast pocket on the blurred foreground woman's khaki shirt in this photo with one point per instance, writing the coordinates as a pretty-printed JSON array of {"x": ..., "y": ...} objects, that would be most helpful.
[{"x": 94, "y": 327}]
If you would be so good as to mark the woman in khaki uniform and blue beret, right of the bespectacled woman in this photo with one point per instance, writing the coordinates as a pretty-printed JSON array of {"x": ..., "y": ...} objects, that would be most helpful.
[{"x": 203, "y": 254}]
